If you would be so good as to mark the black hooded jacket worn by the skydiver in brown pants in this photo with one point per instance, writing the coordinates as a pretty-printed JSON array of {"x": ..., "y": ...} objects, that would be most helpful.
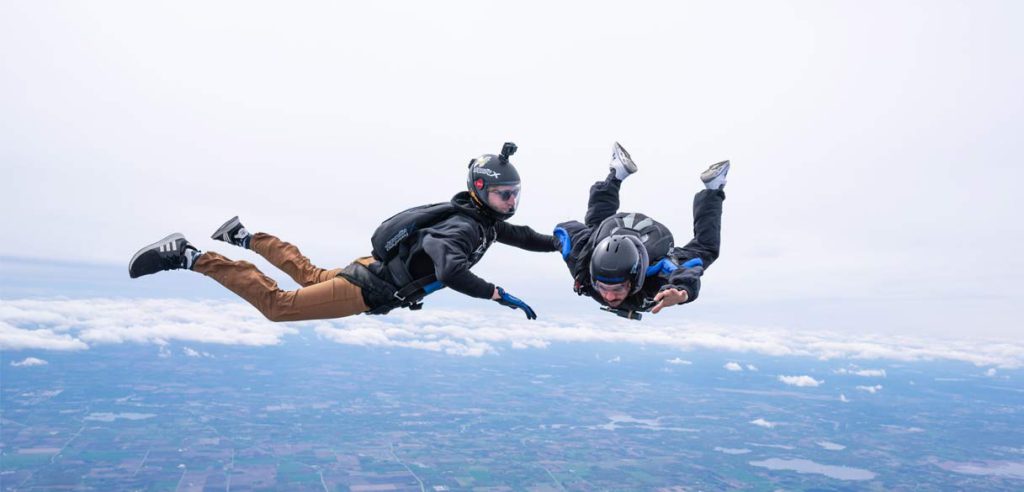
[{"x": 450, "y": 249}]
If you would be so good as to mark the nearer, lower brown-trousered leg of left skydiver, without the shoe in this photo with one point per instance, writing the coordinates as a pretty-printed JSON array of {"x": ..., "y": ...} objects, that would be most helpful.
[{"x": 335, "y": 298}]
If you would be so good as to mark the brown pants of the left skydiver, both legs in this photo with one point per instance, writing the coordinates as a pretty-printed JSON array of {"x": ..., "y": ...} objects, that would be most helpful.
[{"x": 323, "y": 296}]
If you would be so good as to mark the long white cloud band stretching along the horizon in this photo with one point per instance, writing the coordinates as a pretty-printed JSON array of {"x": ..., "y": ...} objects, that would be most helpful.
[{"x": 79, "y": 324}]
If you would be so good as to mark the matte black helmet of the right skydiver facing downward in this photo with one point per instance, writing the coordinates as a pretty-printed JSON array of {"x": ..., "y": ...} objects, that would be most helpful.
[{"x": 618, "y": 260}]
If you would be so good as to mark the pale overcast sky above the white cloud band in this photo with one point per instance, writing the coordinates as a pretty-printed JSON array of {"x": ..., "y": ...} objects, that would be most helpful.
[{"x": 875, "y": 145}]
